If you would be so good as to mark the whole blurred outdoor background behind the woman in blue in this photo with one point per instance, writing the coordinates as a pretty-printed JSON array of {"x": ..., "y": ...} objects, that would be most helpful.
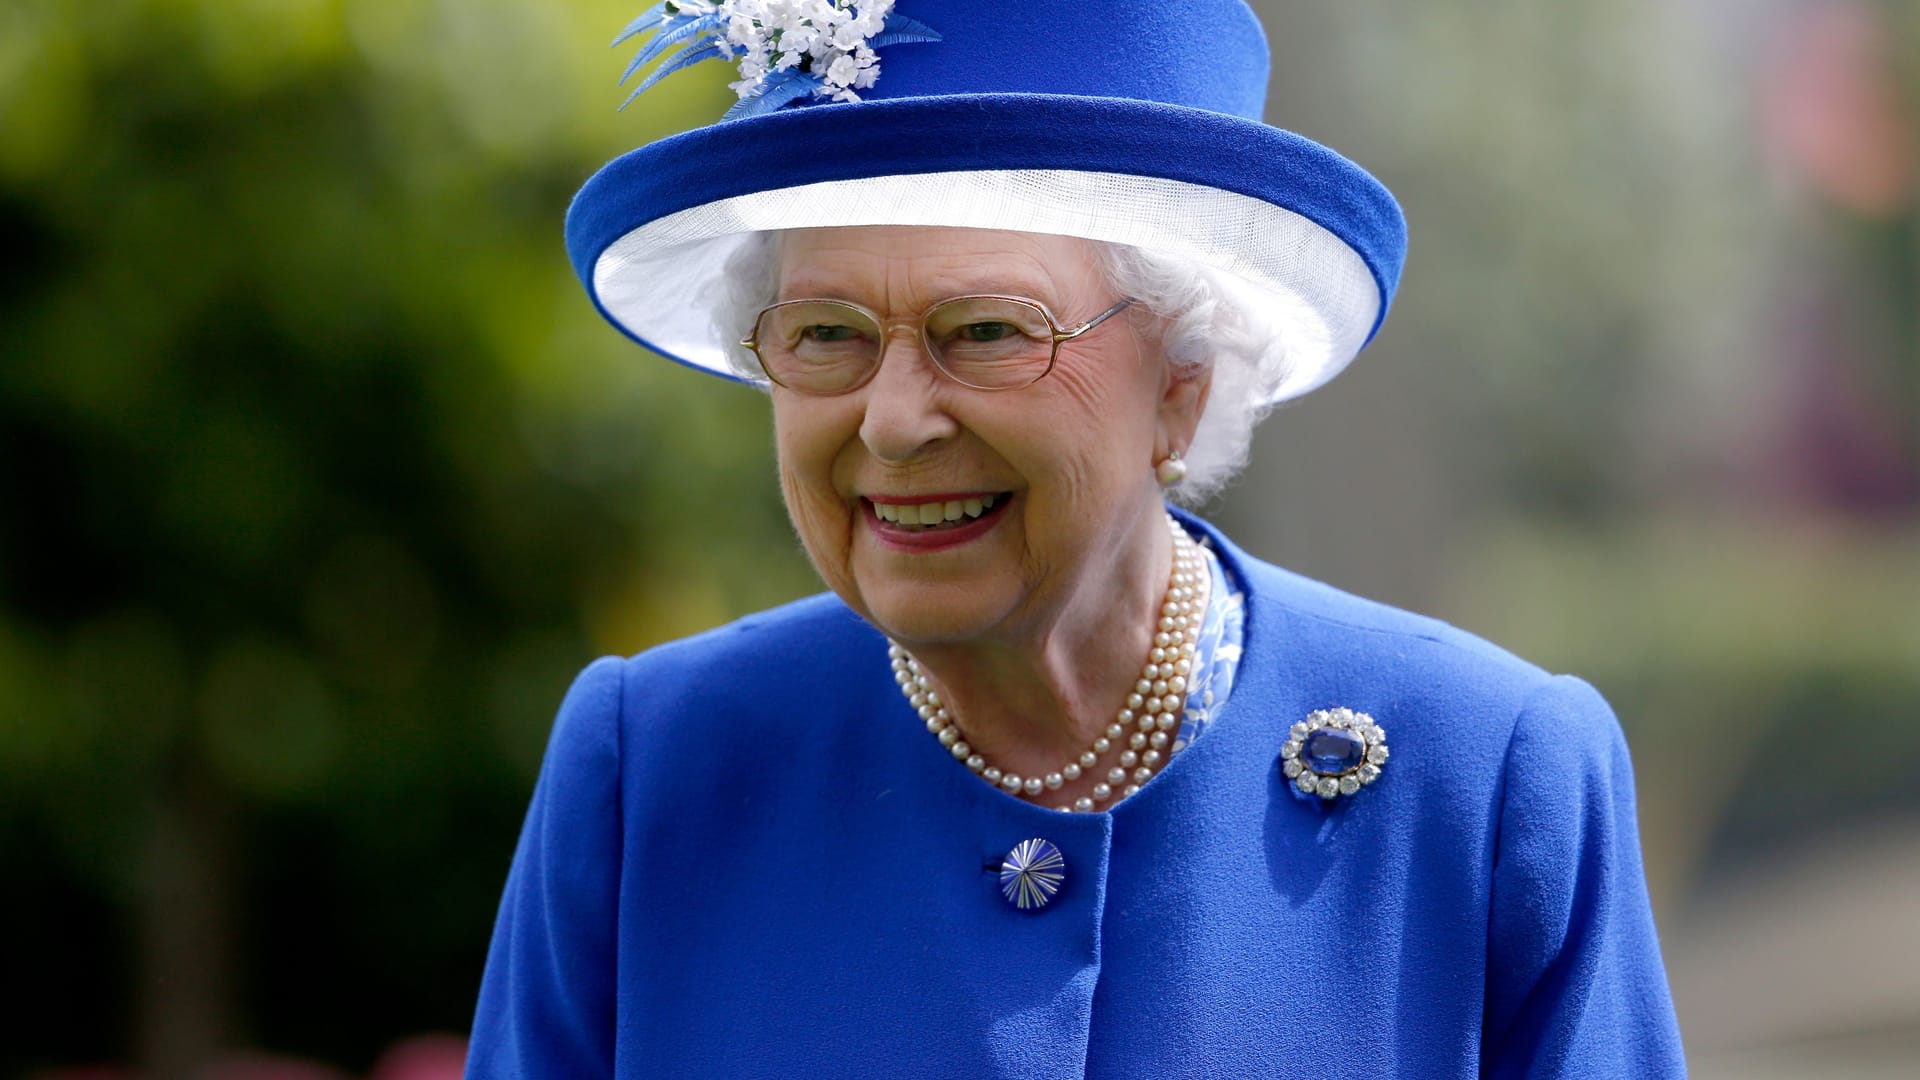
[{"x": 320, "y": 479}]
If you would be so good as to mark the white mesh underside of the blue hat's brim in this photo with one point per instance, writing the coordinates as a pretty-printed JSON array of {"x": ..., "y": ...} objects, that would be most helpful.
[{"x": 663, "y": 282}]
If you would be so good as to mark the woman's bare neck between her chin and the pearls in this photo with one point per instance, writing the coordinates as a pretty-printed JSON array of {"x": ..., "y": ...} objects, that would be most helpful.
[{"x": 1042, "y": 697}]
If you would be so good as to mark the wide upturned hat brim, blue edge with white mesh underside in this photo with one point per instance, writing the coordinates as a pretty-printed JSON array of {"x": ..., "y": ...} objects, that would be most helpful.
[{"x": 1310, "y": 241}]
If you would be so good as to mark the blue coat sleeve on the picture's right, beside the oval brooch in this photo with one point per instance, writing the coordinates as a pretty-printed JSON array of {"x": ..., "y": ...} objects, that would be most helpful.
[{"x": 1573, "y": 983}]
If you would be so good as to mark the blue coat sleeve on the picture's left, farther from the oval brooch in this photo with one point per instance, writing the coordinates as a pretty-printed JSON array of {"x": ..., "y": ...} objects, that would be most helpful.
[{"x": 548, "y": 996}]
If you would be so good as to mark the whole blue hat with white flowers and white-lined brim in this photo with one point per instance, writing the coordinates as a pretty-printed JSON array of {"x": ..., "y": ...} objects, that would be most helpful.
[{"x": 1132, "y": 122}]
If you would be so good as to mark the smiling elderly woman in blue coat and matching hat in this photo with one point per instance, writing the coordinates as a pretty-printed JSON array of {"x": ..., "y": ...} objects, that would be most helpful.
[{"x": 1053, "y": 781}]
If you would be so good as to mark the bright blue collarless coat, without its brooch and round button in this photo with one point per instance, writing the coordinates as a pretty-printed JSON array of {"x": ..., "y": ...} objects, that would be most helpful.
[{"x": 748, "y": 858}]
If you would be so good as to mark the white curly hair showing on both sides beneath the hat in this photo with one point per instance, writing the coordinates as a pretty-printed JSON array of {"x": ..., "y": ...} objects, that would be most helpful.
[{"x": 1207, "y": 324}]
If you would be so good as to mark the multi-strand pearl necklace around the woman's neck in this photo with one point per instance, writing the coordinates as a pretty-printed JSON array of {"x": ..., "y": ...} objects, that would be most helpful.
[{"x": 1155, "y": 706}]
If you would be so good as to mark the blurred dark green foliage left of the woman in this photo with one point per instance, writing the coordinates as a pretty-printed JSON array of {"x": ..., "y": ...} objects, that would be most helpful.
[{"x": 318, "y": 481}]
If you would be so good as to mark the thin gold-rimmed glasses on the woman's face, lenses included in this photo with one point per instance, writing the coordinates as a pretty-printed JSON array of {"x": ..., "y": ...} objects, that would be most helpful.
[{"x": 986, "y": 343}]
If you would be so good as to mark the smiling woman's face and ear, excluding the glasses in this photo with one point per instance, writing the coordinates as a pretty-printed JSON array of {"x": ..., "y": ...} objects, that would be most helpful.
[{"x": 1067, "y": 464}]
